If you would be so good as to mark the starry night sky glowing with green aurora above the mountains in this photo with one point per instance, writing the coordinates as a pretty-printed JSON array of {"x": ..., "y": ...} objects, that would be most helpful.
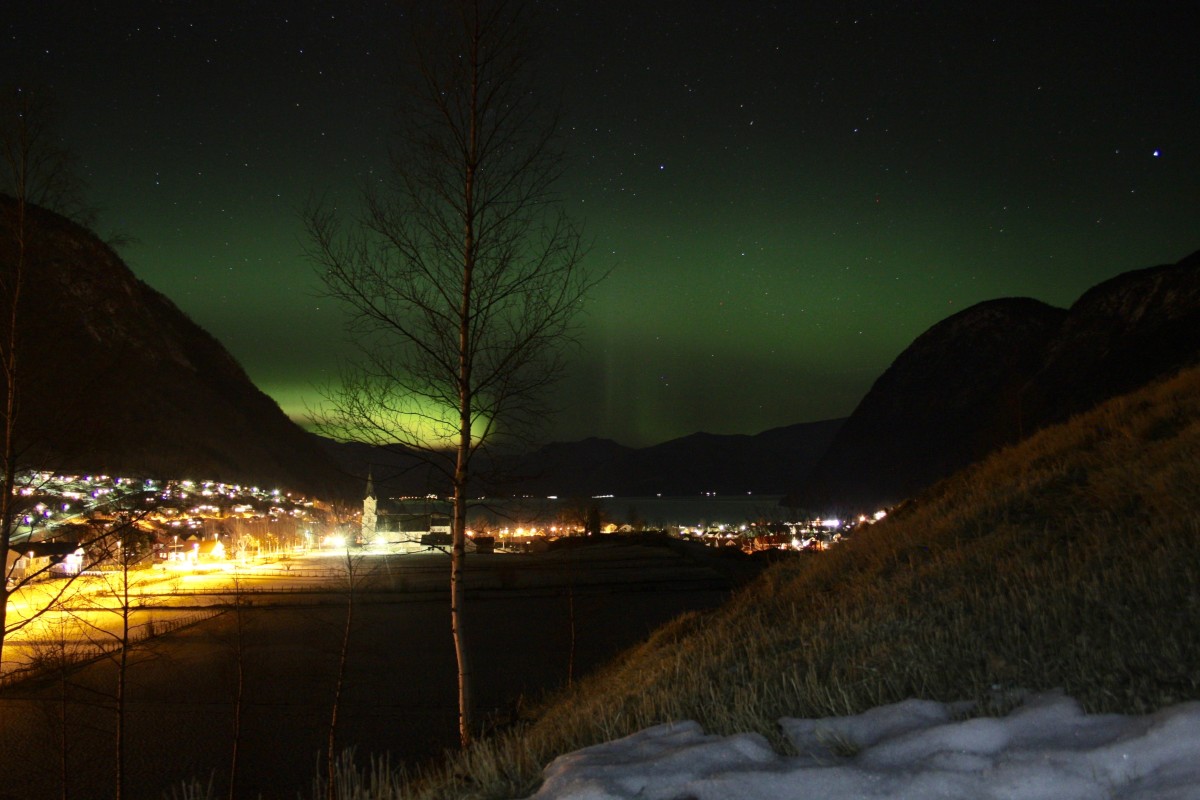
[{"x": 788, "y": 194}]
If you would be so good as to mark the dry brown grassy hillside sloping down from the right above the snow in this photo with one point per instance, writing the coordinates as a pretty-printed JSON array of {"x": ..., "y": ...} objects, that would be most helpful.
[{"x": 1071, "y": 561}]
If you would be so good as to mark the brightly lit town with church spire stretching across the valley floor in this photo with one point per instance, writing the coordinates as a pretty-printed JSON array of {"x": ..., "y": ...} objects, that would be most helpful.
[{"x": 69, "y": 524}]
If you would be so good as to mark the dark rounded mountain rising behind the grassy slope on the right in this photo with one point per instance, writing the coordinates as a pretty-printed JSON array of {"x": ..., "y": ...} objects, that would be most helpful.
[{"x": 999, "y": 371}]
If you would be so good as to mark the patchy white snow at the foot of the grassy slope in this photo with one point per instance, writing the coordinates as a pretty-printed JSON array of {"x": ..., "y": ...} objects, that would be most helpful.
[{"x": 1047, "y": 749}]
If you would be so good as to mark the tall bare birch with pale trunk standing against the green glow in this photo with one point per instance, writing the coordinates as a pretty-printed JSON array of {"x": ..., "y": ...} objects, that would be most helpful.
[{"x": 463, "y": 275}]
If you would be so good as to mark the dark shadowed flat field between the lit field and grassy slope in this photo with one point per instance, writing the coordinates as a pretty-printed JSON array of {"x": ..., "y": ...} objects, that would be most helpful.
[{"x": 399, "y": 696}]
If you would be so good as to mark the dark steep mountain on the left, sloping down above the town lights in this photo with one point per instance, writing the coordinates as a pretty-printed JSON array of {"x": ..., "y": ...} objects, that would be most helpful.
[{"x": 116, "y": 378}]
